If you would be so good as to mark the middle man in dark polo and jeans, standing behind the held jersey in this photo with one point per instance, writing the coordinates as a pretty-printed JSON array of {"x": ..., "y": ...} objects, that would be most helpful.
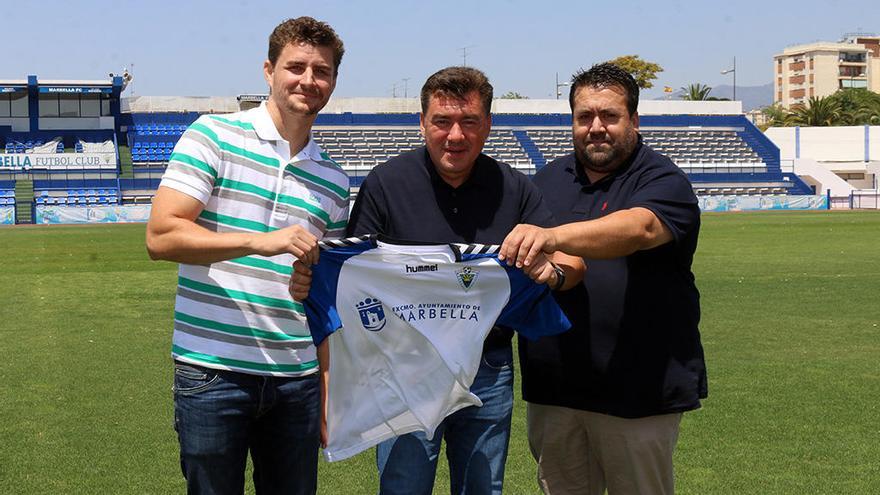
[{"x": 448, "y": 191}]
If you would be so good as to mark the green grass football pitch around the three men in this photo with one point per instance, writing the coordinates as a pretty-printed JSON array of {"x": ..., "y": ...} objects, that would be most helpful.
[{"x": 790, "y": 329}]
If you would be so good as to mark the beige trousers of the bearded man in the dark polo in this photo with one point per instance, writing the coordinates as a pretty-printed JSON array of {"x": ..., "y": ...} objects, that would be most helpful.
[{"x": 581, "y": 452}]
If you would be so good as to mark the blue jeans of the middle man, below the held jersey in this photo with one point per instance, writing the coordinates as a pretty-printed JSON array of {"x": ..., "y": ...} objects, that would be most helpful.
[{"x": 476, "y": 440}]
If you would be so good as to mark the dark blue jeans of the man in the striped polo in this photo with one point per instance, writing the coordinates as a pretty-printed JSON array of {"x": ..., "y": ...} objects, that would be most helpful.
[{"x": 220, "y": 415}]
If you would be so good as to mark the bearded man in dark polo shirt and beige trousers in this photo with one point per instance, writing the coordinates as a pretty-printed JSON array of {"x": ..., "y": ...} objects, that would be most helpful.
[{"x": 606, "y": 398}]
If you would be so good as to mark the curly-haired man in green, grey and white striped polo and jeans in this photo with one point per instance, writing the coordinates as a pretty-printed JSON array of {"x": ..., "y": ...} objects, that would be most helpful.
[{"x": 244, "y": 196}]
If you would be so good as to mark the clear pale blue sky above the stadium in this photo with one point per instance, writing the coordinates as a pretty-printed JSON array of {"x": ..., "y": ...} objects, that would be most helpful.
[{"x": 205, "y": 48}]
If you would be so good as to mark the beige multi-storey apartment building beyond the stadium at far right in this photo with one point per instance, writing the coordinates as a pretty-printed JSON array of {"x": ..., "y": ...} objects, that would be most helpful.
[{"x": 820, "y": 69}]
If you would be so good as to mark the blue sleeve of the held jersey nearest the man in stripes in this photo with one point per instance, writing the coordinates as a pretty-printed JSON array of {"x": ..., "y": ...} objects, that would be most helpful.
[{"x": 320, "y": 306}]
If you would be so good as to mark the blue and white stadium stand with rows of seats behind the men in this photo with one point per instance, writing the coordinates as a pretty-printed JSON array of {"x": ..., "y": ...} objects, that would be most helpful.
[{"x": 75, "y": 169}]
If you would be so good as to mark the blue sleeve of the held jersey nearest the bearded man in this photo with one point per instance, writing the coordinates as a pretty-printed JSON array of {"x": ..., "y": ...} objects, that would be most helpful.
[{"x": 532, "y": 311}]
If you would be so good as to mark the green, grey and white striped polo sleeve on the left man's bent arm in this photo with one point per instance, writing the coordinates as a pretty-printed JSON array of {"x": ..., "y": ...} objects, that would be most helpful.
[{"x": 194, "y": 165}]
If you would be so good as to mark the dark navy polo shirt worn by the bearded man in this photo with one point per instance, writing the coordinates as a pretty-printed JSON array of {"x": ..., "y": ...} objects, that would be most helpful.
[{"x": 634, "y": 349}]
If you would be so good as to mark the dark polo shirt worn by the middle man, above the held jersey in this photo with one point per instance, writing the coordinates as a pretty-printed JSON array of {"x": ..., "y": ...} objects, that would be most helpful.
[{"x": 405, "y": 199}]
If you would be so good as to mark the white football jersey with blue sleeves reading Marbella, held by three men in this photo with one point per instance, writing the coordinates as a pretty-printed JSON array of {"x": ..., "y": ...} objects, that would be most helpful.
[{"x": 406, "y": 325}]
